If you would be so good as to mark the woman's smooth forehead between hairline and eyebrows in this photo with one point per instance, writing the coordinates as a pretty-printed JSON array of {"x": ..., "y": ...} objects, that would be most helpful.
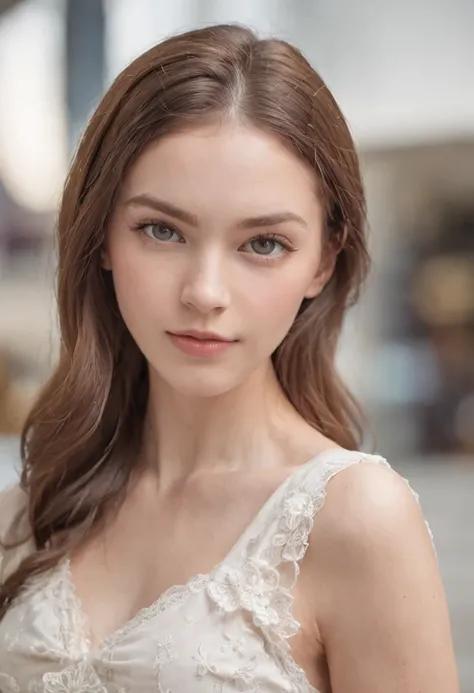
[{"x": 221, "y": 166}]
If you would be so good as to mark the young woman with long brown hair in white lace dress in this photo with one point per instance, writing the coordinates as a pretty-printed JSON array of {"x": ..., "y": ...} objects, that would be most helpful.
[{"x": 168, "y": 533}]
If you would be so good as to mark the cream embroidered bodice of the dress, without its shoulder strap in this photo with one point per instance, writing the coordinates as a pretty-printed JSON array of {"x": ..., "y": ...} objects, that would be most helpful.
[{"x": 208, "y": 635}]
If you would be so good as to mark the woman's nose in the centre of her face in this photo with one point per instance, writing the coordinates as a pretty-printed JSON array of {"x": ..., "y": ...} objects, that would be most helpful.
[{"x": 205, "y": 287}]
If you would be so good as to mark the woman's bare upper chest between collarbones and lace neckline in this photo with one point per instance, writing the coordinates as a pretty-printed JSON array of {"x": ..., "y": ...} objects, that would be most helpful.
[{"x": 151, "y": 546}]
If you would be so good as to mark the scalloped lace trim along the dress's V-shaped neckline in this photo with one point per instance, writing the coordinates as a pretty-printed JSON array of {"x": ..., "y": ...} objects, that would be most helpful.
[{"x": 81, "y": 619}]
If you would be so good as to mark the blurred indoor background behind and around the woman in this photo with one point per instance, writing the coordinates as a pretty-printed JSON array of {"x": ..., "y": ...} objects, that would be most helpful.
[{"x": 402, "y": 73}]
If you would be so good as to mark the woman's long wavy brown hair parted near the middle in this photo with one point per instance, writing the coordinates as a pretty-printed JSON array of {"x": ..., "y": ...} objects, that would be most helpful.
[{"x": 81, "y": 438}]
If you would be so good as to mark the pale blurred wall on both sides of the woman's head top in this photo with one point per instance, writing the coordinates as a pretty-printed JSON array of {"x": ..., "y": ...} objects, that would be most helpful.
[{"x": 401, "y": 71}]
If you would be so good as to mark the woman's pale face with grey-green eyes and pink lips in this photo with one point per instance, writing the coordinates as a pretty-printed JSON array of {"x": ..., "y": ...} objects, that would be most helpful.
[{"x": 217, "y": 230}]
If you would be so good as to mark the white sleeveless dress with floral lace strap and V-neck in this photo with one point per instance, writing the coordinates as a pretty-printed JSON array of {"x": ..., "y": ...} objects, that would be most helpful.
[{"x": 227, "y": 631}]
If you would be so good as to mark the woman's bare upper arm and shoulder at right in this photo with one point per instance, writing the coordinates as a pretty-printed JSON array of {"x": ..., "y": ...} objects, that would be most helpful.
[{"x": 381, "y": 607}]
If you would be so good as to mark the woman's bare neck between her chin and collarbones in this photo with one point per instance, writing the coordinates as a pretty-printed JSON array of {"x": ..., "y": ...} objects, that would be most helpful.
[{"x": 242, "y": 429}]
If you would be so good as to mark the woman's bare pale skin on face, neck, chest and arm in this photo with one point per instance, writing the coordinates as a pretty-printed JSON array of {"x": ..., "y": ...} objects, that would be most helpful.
[{"x": 220, "y": 436}]
